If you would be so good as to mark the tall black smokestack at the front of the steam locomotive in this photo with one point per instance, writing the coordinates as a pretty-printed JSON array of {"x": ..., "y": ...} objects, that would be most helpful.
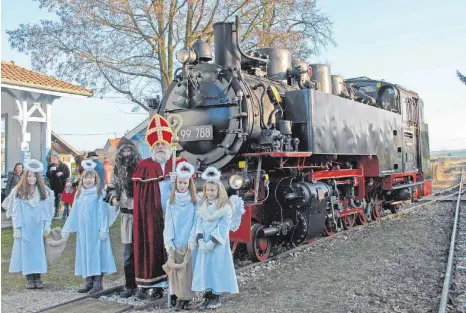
[{"x": 226, "y": 50}]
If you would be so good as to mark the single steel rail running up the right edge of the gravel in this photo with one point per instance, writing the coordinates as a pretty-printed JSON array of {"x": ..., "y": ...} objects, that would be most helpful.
[{"x": 448, "y": 273}]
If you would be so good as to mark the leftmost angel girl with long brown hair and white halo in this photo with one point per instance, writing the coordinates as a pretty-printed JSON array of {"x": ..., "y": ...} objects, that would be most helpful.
[{"x": 32, "y": 212}]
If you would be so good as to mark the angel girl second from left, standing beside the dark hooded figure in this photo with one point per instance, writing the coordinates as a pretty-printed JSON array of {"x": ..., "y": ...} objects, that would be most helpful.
[{"x": 91, "y": 219}]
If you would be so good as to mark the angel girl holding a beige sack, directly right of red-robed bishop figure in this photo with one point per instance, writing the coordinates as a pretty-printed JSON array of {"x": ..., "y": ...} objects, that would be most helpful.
[{"x": 178, "y": 235}]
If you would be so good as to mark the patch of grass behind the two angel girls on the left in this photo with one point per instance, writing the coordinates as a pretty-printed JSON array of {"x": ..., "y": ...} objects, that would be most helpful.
[{"x": 60, "y": 274}]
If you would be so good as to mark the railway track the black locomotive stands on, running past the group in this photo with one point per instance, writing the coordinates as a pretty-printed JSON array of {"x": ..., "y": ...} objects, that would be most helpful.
[{"x": 94, "y": 303}]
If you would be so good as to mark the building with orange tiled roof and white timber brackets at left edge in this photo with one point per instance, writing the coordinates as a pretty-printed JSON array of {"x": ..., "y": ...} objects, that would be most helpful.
[{"x": 27, "y": 99}]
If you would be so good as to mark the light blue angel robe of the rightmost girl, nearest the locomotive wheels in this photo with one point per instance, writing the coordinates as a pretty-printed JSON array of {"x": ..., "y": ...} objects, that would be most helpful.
[{"x": 214, "y": 270}]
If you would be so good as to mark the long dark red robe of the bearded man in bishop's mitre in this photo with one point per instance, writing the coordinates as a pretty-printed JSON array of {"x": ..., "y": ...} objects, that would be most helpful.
[{"x": 149, "y": 250}]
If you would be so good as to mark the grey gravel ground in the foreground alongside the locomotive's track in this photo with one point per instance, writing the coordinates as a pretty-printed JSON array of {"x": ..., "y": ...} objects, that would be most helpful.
[{"x": 395, "y": 266}]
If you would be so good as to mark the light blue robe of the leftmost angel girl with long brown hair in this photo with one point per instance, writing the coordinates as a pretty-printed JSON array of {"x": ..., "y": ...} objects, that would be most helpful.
[{"x": 28, "y": 255}]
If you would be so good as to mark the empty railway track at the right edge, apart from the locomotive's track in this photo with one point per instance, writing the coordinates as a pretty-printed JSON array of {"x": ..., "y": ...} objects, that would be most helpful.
[{"x": 454, "y": 287}]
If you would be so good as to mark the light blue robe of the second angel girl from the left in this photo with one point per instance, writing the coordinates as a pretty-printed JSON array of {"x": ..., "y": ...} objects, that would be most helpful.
[{"x": 90, "y": 215}]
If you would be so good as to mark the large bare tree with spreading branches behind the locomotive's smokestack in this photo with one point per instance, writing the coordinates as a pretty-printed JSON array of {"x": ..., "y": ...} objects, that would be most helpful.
[{"x": 128, "y": 46}]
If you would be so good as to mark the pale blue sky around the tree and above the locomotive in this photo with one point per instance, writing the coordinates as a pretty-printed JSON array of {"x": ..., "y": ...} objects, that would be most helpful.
[{"x": 418, "y": 44}]
